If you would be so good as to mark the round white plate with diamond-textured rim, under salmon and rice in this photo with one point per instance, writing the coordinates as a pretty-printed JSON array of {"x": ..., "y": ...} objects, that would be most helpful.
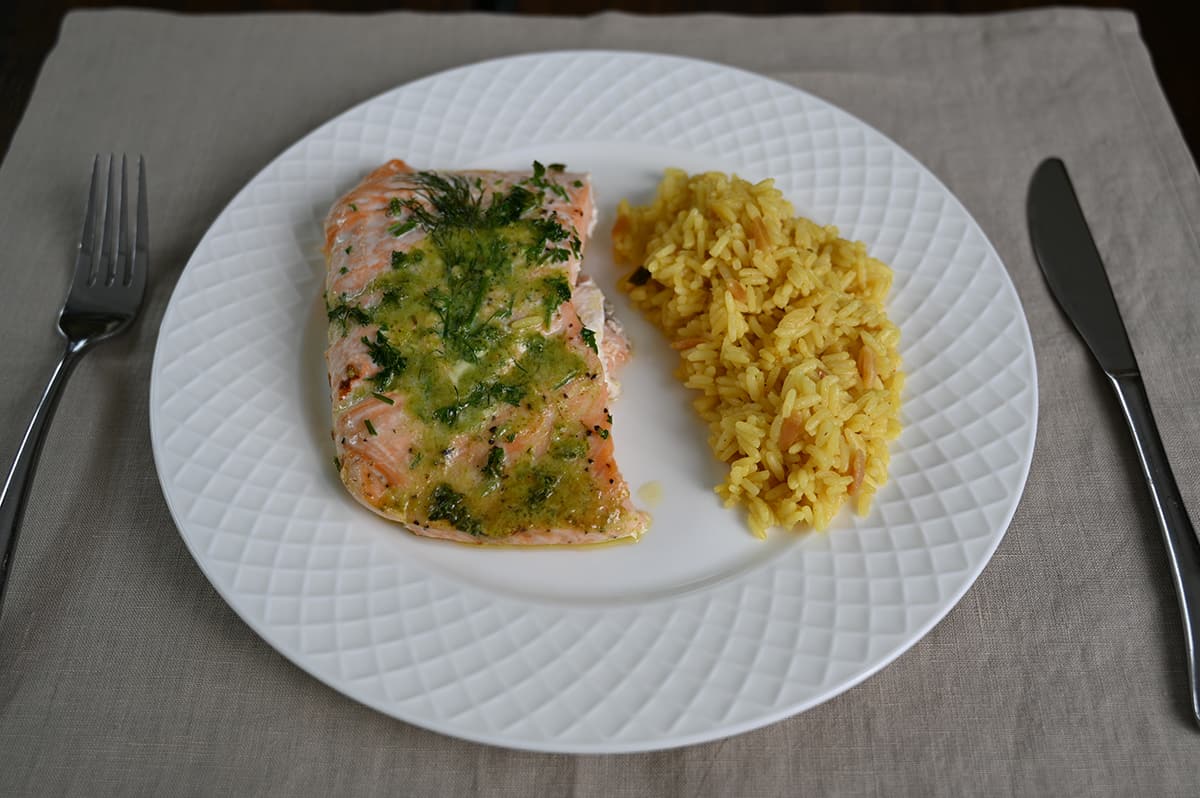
[{"x": 700, "y": 631}]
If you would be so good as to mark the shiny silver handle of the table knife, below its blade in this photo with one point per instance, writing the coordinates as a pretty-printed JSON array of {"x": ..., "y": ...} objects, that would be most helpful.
[{"x": 1183, "y": 548}]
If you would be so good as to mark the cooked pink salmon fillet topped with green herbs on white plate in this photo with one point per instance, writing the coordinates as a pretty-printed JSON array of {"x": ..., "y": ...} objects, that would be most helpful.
[{"x": 471, "y": 364}]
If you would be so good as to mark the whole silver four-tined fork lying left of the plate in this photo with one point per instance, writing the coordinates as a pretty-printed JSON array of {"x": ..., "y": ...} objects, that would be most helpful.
[{"x": 106, "y": 293}]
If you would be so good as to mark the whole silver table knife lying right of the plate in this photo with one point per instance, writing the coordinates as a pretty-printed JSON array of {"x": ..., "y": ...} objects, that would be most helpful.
[{"x": 1073, "y": 269}]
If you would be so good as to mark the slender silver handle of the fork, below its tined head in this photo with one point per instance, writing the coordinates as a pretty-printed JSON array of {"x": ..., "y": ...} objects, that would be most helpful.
[{"x": 21, "y": 476}]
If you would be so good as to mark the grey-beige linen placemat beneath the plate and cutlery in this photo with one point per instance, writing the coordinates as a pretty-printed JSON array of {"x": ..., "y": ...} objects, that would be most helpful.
[{"x": 1060, "y": 673}]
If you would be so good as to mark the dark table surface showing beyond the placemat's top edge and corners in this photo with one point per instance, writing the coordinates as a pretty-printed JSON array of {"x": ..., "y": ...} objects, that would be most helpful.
[{"x": 28, "y": 29}]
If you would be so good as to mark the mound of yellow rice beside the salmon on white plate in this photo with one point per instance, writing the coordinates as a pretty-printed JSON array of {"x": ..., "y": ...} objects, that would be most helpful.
[{"x": 782, "y": 328}]
